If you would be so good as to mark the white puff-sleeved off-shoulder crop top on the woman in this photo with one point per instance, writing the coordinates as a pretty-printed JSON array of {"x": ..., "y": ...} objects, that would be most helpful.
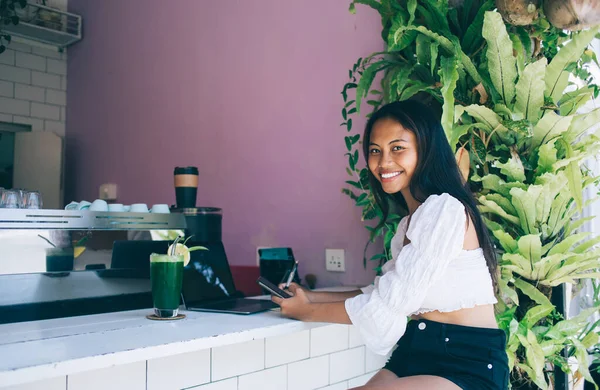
[{"x": 432, "y": 272}]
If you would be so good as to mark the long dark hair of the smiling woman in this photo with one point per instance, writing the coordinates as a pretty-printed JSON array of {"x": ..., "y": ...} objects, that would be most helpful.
[{"x": 437, "y": 171}]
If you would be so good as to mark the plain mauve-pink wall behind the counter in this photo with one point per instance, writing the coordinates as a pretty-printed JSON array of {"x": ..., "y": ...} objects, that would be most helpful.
[{"x": 248, "y": 91}]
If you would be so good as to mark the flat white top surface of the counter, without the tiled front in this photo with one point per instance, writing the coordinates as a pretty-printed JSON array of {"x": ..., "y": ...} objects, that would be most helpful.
[{"x": 42, "y": 349}]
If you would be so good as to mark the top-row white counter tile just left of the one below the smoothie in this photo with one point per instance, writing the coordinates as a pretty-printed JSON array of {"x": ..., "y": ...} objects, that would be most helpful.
[{"x": 124, "y": 377}]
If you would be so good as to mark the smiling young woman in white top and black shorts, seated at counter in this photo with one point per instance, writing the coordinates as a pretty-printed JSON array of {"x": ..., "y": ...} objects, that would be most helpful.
[{"x": 433, "y": 303}]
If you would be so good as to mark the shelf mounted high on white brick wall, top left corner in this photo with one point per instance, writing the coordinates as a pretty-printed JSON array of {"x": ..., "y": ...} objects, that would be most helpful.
[{"x": 46, "y": 25}]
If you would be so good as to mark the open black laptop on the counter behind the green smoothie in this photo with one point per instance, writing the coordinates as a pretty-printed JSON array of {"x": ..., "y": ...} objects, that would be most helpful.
[{"x": 208, "y": 284}]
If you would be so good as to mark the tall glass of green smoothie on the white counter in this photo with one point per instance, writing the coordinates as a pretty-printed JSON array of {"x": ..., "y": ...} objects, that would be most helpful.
[{"x": 166, "y": 275}]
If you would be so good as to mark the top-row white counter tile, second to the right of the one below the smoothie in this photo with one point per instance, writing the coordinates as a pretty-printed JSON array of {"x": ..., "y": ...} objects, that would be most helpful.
[{"x": 287, "y": 348}]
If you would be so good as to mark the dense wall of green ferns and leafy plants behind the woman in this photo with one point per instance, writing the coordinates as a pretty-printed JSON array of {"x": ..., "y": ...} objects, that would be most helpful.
[{"x": 504, "y": 105}]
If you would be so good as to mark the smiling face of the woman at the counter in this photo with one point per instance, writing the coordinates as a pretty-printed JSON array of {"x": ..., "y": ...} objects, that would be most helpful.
[{"x": 392, "y": 155}]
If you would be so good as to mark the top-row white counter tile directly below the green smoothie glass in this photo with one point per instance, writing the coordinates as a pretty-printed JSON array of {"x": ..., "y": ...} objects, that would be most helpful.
[{"x": 192, "y": 369}]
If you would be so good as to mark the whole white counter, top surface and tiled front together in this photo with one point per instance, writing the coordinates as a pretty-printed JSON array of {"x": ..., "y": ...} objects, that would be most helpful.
[{"x": 207, "y": 351}]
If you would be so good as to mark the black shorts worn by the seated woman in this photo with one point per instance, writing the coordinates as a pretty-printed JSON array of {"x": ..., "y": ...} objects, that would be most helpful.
[{"x": 472, "y": 358}]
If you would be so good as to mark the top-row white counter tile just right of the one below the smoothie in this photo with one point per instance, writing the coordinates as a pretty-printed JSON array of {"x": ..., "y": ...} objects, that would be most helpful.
[{"x": 238, "y": 359}]
